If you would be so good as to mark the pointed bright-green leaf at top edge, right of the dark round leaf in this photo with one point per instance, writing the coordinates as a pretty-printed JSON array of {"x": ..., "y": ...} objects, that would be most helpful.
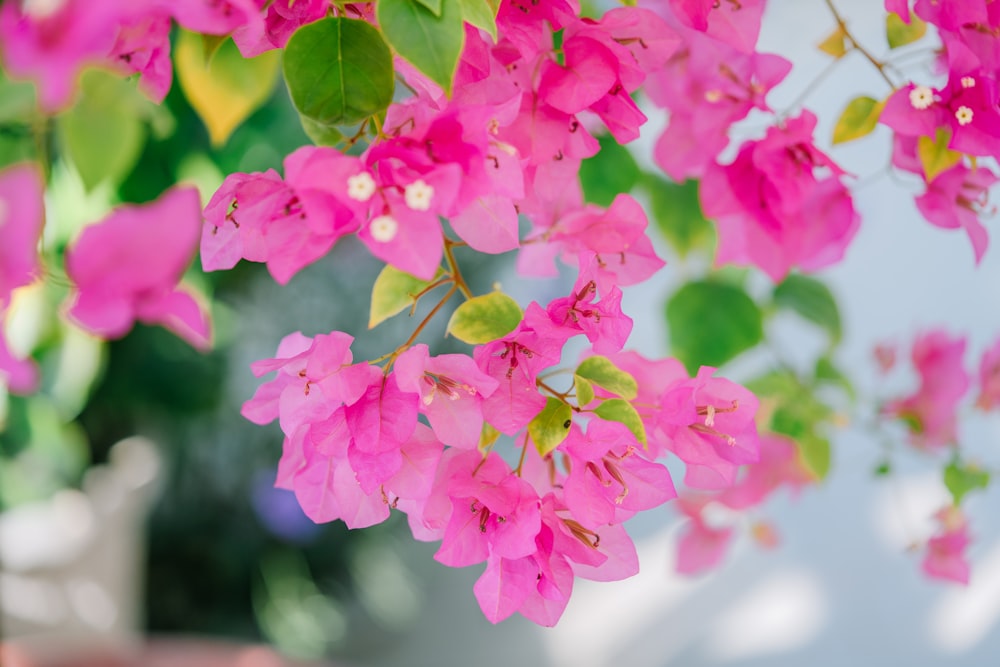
[{"x": 431, "y": 43}]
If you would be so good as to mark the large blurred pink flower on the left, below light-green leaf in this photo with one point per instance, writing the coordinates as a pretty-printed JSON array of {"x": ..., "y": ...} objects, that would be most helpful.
[{"x": 127, "y": 268}]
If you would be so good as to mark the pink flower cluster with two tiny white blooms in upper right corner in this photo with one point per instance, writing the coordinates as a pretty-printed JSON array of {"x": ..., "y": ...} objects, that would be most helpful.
[{"x": 963, "y": 113}]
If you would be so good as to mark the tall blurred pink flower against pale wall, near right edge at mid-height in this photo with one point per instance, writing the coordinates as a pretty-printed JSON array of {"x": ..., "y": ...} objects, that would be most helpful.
[{"x": 930, "y": 412}]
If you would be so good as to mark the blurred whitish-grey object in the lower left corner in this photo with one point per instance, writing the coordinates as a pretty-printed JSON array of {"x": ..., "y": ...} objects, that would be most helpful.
[{"x": 71, "y": 567}]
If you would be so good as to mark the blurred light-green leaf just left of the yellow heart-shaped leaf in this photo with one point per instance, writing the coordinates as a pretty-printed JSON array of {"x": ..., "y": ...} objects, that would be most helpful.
[{"x": 103, "y": 134}]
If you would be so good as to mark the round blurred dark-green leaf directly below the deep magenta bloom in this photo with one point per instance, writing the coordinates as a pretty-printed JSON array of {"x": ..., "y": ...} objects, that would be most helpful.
[{"x": 712, "y": 322}]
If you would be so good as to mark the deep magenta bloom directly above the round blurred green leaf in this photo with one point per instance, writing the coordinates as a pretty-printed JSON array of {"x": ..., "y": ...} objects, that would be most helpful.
[{"x": 773, "y": 211}]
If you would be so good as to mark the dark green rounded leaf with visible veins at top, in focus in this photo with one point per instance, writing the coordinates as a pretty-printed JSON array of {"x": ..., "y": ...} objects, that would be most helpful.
[{"x": 339, "y": 71}]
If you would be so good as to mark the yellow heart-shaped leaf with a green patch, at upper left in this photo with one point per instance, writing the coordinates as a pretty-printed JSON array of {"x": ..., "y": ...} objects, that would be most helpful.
[{"x": 226, "y": 90}]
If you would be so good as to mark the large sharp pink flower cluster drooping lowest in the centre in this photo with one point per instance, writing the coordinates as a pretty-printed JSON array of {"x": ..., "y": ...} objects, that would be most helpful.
[{"x": 355, "y": 449}]
